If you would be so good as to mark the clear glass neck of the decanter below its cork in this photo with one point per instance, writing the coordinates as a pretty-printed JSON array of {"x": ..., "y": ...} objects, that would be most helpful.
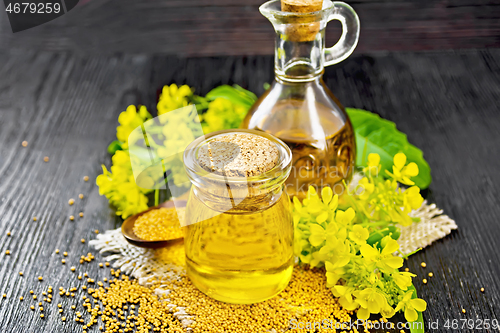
[{"x": 299, "y": 60}]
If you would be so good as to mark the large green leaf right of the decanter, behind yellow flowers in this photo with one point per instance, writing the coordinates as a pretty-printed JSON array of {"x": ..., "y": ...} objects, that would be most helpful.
[{"x": 378, "y": 135}]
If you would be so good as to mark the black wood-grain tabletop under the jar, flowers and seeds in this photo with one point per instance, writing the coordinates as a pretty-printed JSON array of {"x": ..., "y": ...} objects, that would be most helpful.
[{"x": 66, "y": 106}]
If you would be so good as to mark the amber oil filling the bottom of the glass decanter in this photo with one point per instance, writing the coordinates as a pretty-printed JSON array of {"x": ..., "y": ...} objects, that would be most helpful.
[{"x": 322, "y": 144}]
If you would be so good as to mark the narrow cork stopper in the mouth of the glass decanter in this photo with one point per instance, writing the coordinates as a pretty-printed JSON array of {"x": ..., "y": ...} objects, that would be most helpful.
[{"x": 302, "y": 29}]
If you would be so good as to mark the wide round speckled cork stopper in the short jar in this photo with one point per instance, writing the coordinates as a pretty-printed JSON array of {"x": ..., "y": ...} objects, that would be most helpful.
[{"x": 239, "y": 155}]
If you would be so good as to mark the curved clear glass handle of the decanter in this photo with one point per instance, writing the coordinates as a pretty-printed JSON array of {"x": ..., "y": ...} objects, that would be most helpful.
[{"x": 350, "y": 33}]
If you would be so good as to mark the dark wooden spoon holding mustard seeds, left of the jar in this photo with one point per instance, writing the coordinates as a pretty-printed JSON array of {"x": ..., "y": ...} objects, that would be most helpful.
[{"x": 132, "y": 238}]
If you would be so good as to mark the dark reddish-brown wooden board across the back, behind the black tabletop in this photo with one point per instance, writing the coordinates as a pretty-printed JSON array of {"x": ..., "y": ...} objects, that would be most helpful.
[{"x": 226, "y": 27}]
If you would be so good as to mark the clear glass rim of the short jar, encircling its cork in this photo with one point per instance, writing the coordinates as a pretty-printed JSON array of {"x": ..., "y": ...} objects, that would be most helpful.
[{"x": 195, "y": 170}]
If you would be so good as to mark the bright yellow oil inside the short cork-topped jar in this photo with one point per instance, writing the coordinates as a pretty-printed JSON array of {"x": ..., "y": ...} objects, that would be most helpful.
[{"x": 239, "y": 257}]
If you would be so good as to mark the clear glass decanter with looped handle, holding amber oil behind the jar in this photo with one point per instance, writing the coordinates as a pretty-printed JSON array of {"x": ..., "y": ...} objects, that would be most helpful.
[{"x": 299, "y": 108}]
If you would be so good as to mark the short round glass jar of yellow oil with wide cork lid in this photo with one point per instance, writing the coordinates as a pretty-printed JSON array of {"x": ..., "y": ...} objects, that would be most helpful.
[{"x": 239, "y": 229}]
